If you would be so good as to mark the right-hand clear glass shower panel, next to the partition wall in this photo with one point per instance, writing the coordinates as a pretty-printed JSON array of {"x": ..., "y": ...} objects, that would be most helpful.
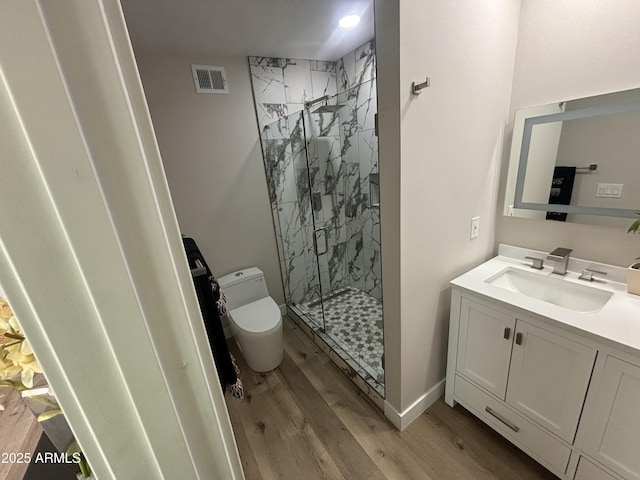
[{"x": 343, "y": 150}]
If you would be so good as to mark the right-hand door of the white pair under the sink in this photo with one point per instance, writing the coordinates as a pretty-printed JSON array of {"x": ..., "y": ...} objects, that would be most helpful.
[{"x": 549, "y": 378}]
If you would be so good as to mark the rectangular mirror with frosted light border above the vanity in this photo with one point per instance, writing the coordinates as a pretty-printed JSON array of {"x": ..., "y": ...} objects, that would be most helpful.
[{"x": 577, "y": 160}]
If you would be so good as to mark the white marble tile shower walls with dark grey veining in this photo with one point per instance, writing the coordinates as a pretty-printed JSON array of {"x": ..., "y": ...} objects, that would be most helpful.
[{"x": 342, "y": 151}]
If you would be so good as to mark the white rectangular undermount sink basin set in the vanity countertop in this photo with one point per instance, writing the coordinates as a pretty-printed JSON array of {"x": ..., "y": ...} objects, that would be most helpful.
[{"x": 557, "y": 291}]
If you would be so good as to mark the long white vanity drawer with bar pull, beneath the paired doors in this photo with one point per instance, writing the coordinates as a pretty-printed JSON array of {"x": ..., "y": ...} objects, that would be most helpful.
[{"x": 532, "y": 439}]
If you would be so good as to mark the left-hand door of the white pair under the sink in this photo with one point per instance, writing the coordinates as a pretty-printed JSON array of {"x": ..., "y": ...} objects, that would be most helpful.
[{"x": 484, "y": 346}]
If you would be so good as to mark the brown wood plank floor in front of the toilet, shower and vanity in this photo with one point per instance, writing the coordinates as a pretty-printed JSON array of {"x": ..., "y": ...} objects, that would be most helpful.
[{"x": 307, "y": 420}]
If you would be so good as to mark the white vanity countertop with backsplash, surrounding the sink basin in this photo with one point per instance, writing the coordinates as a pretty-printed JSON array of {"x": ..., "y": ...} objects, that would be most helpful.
[{"x": 618, "y": 321}]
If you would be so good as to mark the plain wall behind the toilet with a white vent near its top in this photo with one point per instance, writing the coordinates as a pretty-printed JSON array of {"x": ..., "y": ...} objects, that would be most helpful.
[{"x": 211, "y": 152}]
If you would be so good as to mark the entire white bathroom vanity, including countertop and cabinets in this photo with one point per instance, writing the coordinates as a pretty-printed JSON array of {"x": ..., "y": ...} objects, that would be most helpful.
[{"x": 552, "y": 371}]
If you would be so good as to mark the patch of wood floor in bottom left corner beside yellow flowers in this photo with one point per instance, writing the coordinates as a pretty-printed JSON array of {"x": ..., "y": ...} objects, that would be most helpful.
[{"x": 19, "y": 433}]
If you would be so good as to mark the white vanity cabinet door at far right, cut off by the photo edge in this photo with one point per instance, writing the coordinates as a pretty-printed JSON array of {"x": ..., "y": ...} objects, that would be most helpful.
[{"x": 613, "y": 435}]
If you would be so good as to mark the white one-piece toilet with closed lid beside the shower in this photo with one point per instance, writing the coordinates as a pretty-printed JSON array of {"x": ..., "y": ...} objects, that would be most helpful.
[{"x": 256, "y": 321}]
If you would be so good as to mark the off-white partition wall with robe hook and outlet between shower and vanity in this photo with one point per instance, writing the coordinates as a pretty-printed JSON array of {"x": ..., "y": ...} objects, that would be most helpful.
[{"x": 450, "y": 146}]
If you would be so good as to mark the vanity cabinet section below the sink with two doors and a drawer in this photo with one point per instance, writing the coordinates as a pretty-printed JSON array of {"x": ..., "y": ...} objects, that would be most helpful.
[{"x": 524, "y": 378}]
